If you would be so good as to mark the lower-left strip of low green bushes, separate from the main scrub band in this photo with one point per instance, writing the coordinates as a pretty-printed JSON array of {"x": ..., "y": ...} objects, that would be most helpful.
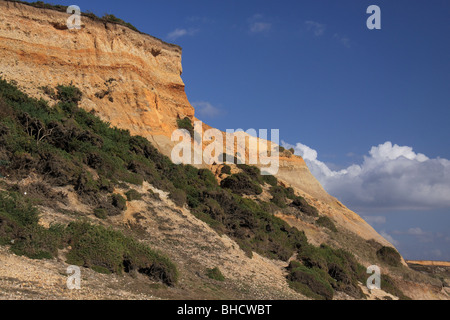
[{"x": 94, "y": 247}]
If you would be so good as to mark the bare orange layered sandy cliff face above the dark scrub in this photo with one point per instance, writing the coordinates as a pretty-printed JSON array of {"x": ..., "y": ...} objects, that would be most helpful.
[{"x": 131, "y": 80}]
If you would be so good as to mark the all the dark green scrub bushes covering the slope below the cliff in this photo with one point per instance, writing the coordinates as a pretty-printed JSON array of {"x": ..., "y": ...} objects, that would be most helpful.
[{"x": 76, "y": 143}]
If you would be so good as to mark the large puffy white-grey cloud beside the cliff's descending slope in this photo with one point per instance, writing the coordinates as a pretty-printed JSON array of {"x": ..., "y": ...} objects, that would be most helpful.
[{"x": 391, "y": 177}]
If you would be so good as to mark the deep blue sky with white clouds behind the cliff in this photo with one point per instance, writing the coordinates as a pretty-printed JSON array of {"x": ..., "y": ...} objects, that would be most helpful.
[{"x": 313, "y": 70}]
